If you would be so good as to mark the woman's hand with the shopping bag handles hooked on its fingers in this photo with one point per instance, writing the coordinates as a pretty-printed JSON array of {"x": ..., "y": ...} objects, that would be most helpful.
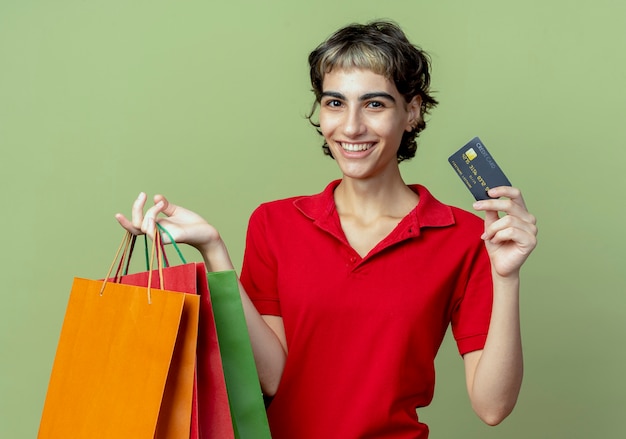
[{"x": 184, "y": 225}]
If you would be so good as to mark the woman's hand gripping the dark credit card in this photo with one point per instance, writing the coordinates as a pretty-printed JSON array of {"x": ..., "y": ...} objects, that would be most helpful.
[{"x": 509, "y": 239}]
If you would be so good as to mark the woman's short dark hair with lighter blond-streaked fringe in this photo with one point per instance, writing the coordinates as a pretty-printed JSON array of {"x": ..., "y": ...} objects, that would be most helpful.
[{"x": 383, "y": 48}]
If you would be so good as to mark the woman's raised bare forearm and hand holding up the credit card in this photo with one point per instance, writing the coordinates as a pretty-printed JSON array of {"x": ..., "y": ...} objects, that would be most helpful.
[{"x": 494, "y": 374}]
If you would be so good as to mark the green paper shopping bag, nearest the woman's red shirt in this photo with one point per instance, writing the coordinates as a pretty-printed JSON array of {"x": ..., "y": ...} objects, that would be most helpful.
[{"x": 242, "y": 381}]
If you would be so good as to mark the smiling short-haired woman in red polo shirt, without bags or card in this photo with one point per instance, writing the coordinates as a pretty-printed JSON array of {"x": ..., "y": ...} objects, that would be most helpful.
[{"x": 348, "y": 293}]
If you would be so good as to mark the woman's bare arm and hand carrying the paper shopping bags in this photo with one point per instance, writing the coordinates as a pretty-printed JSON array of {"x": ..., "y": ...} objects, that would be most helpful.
[{"x": 267, "y": 334}]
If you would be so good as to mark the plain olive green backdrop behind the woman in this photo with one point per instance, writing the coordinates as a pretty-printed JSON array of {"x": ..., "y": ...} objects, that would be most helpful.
[{"x": 204, "y": 101}]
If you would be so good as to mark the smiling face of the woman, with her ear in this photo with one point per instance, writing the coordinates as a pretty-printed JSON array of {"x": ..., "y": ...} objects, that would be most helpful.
[{"x": 362, "y": 118}]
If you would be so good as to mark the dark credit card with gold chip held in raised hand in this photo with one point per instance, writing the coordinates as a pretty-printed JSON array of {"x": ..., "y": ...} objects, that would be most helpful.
[{"x": 477, "y": 168}]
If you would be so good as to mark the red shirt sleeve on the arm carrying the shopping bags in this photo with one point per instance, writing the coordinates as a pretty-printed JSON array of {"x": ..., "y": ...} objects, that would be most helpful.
[{"x": 258, "y": 274}]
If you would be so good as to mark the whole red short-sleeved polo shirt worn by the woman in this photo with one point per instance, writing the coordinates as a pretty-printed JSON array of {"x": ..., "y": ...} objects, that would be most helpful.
[{"x": 362, "y": 333}]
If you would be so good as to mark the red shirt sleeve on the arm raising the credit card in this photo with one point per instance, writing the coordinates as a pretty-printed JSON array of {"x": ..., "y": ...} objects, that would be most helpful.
[{"x": 472, "y": 314}]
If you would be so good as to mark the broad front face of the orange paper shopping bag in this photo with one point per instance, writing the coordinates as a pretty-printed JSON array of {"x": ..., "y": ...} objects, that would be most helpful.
[{"x": 112, "y": 361}]
